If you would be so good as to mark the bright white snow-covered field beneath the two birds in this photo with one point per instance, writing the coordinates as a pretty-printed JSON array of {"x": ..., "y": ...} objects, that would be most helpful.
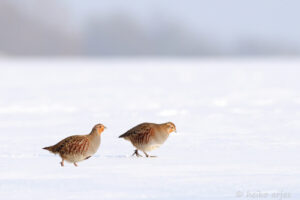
[{"x": 238, "y": 125}]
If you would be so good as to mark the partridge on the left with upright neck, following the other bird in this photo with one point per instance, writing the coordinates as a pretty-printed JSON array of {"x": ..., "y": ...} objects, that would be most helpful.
[{"x": 78, "y": 147}]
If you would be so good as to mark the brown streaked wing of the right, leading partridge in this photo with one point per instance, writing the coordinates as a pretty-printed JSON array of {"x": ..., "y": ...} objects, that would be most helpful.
[{"x": 139, "y": 134}]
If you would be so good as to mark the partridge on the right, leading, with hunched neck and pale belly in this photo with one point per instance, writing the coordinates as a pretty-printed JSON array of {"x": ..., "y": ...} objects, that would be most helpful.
[{"x": 148, "y": 136}]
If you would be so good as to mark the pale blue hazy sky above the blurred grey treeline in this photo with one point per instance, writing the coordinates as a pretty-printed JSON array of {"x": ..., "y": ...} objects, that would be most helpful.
[{"x": 268, "y": 18}]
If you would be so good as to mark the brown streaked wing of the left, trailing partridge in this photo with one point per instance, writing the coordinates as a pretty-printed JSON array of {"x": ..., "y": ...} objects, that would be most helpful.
[{"x": 72, "y": 145}]
